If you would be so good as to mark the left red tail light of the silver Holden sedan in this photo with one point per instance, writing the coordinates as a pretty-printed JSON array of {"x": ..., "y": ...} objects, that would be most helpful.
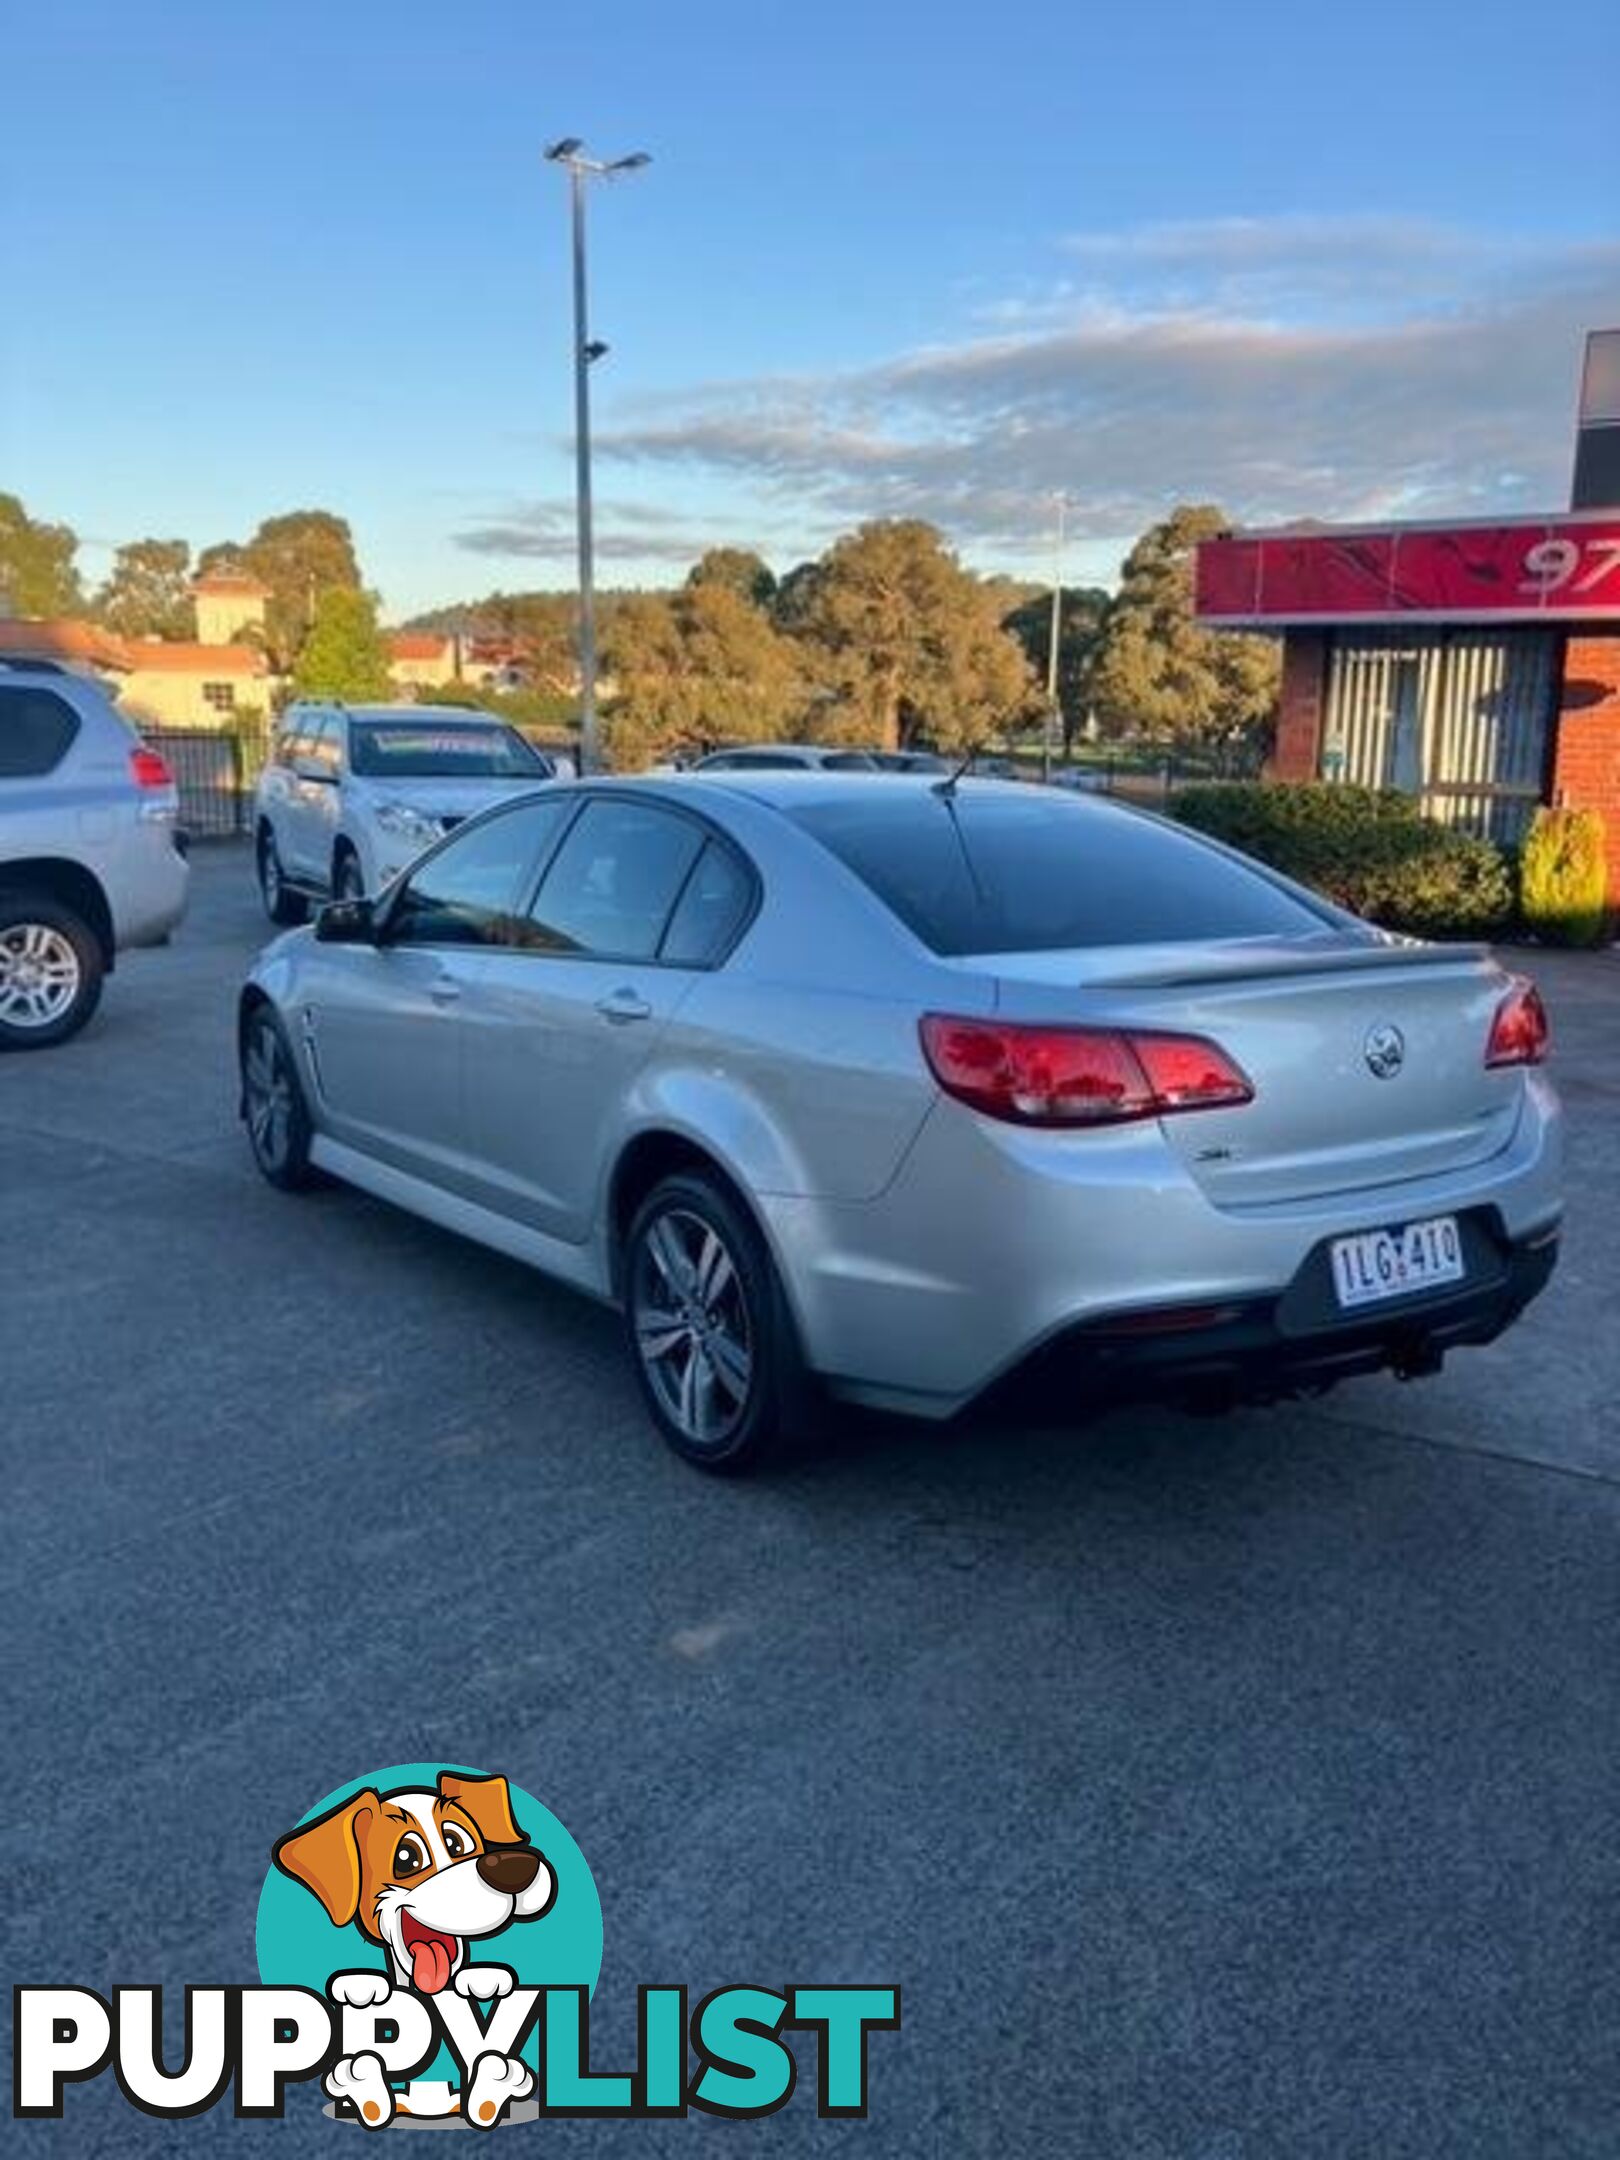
[{"x": 1079, "y": 1077}]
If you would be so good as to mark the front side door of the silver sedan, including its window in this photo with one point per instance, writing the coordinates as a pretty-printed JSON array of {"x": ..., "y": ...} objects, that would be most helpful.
[{"x": 386, "y": 1023}]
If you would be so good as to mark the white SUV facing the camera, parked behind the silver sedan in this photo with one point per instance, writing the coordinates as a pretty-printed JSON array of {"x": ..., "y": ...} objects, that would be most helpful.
[{"x": 353, "y": 794}]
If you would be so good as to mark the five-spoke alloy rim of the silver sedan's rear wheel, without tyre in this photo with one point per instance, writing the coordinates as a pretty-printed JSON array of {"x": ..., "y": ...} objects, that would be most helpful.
[{"x": 692, "y": 1325}]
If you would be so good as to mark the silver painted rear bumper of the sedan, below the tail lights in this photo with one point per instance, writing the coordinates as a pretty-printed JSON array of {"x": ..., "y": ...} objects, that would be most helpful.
[{"x": 993, "y": 1245}]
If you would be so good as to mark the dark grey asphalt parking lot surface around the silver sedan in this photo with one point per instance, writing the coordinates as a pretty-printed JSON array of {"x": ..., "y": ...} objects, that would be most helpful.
[{"x": 1209, "y": 1787}]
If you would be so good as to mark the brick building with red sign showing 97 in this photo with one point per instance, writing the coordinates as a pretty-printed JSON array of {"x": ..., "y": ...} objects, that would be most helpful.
[{"x": 1474, "y": 666}]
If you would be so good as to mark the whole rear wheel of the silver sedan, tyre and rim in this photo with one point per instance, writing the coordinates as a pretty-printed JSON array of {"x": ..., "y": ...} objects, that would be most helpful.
[{"x": 710, "y": 1327}]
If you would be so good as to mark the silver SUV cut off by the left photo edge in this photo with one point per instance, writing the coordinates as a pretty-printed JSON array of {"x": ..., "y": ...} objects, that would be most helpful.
[{"x": 92, "y": 861}]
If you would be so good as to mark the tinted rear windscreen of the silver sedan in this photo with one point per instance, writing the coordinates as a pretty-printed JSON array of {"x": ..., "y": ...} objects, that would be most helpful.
[{"x": 1036, "y": 874}]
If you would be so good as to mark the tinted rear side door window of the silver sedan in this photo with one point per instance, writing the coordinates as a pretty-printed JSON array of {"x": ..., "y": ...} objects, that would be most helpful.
[{"x": 615, "y": 880}]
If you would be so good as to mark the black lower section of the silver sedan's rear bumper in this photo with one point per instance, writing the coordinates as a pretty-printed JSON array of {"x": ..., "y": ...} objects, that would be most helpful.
[{"x": 1271, "y": 1349}]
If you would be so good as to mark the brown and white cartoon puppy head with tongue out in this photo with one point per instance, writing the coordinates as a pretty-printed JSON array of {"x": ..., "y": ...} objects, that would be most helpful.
[{"x": 424, "y": 1874}]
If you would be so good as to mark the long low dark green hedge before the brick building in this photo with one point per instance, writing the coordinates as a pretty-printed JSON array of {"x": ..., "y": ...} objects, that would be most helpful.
[{"x": 1364, "y": 848}]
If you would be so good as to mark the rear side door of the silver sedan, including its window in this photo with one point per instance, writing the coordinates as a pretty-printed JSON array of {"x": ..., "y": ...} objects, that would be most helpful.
[{"x": 567, "y": 1016}]
